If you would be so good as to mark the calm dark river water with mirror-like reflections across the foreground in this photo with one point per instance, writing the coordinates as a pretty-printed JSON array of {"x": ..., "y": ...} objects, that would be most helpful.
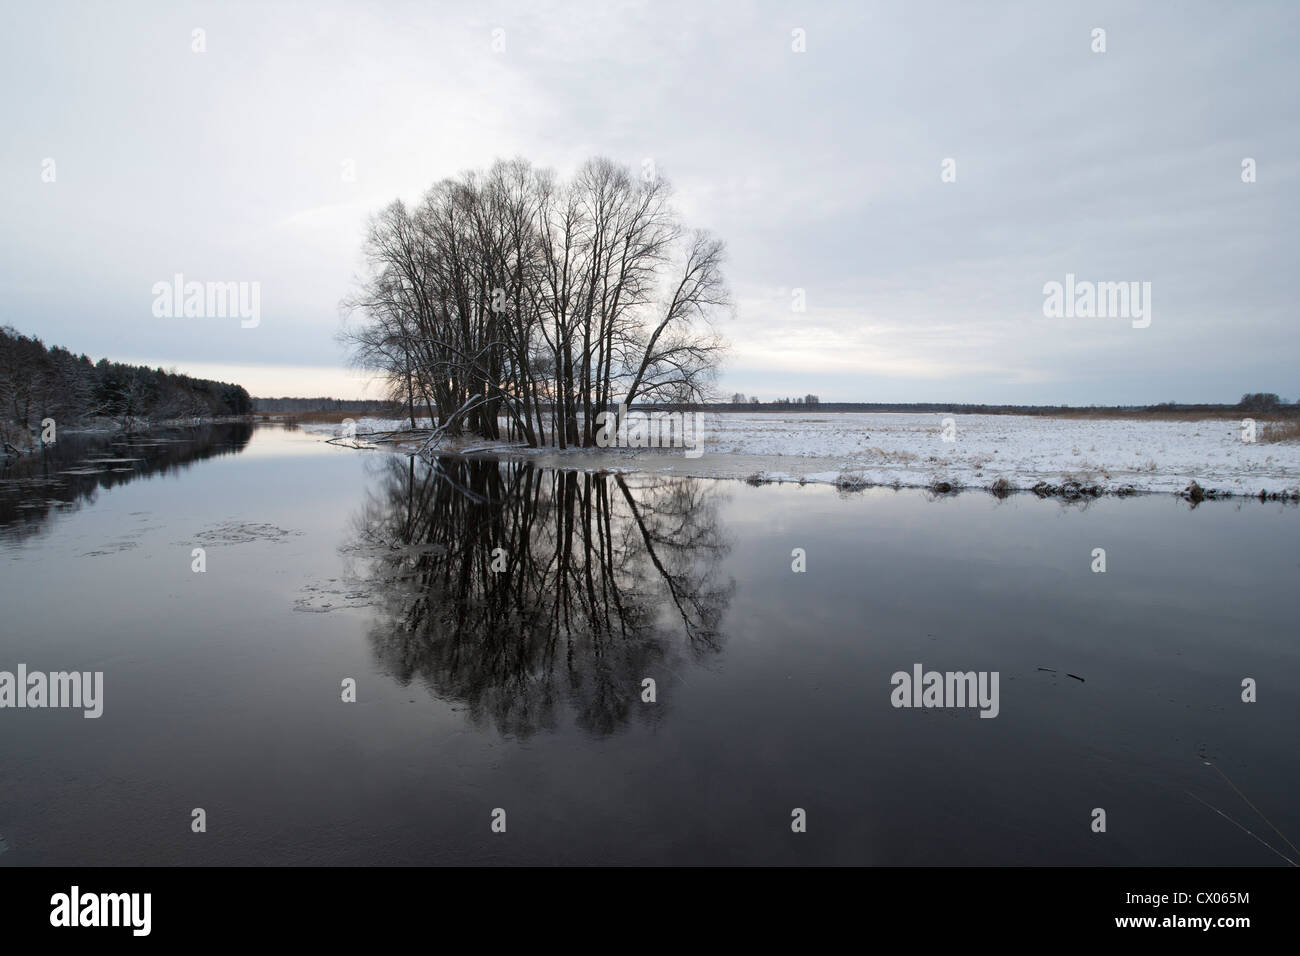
[{"x": 522, "y": 689}]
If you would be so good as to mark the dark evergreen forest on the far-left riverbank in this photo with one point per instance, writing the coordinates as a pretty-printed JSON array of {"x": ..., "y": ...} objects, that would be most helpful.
[{"x": 40, "y": 383}]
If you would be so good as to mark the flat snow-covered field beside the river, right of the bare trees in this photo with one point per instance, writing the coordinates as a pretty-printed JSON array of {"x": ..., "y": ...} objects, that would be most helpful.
[{"x": 911, "y": 451}]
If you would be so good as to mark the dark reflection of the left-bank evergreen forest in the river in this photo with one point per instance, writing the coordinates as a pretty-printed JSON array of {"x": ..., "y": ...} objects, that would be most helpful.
[{"x": 73, "y": 470}]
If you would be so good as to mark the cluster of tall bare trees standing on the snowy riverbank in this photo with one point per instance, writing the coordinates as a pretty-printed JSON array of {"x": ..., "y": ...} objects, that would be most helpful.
[{"x": 510, "y": 296}]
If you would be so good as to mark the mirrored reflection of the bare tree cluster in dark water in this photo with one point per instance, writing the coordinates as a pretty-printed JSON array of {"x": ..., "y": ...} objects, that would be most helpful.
[{"x": 605, "y": 581}]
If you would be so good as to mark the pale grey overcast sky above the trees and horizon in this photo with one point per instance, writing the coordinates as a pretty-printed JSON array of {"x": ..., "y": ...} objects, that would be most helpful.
[{"x": 822, "y": 171}]
